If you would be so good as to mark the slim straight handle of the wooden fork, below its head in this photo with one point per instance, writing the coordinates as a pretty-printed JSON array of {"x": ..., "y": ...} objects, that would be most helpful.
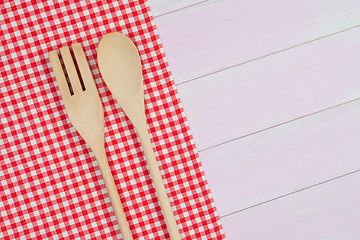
[{"x": 114, "y": 195}]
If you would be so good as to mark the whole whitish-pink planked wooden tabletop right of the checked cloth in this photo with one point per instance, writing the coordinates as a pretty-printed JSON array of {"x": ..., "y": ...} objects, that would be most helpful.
[{"x": 271, "y": 90}]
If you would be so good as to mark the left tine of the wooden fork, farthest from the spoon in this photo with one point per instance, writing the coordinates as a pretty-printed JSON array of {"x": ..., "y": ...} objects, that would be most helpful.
[{"x": 59, "y": 74}]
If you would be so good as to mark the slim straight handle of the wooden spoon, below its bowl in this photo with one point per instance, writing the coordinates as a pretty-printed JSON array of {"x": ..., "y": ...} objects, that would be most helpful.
[{"x": 158, "y": 183}]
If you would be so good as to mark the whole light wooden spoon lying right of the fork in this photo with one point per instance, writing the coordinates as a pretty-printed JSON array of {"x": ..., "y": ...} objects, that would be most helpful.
[{"x": 120, "y": 67}]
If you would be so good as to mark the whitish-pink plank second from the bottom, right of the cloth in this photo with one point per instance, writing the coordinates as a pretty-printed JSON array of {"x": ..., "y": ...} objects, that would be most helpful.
[{"x": 284, "y": 159}]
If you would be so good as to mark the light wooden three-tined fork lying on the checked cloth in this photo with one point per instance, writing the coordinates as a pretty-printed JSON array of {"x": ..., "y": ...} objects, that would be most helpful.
[{"x": 83, "y": 106}]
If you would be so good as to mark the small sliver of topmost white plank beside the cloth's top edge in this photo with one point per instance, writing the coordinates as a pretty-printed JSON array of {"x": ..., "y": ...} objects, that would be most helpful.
[{"x": 160, "y": 7}]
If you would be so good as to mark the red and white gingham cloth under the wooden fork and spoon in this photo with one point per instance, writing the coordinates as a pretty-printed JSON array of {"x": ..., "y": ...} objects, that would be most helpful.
[{"x": 50, "y": 183}]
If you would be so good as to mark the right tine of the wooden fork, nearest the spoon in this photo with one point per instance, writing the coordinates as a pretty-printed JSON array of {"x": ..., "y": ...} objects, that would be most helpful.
[{"x": 83, "y": 66}]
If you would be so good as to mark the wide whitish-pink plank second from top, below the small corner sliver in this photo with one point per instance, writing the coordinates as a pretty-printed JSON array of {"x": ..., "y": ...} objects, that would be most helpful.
[{"x": 218, "y": 34}]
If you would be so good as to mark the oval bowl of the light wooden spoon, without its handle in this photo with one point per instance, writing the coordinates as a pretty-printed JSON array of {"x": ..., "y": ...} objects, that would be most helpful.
[{"x": 120, "y": 66}]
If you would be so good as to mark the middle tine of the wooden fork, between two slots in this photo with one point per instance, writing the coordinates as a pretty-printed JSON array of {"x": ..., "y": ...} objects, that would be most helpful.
[{"x": 71, "y": 69}]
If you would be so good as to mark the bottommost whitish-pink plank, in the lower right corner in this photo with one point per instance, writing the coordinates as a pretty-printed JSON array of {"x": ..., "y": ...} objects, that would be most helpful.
[{"x": 328, "y": 211}]
